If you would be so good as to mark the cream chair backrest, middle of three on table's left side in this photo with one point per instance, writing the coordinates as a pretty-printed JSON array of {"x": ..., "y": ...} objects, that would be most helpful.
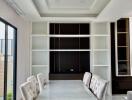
[{"x": 35, "y": 85}]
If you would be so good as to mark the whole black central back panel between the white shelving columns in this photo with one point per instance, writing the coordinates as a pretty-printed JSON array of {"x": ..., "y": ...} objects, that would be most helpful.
[{"x": 70, "y": 63}]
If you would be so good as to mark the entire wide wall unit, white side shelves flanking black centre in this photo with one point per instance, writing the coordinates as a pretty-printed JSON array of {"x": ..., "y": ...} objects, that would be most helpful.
[{"x": 91, "y": 40}]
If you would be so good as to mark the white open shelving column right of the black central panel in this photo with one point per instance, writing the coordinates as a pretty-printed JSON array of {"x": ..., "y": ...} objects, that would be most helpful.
[{"x": 100, "y": 51}]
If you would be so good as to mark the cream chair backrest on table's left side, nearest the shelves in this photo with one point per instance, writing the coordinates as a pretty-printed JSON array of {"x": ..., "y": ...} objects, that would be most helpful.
[{"x": 42, "y": 81}]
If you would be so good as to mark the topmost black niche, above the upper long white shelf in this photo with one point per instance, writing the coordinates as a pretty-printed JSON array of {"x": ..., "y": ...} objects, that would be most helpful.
[{"x": 70, "y": 28}]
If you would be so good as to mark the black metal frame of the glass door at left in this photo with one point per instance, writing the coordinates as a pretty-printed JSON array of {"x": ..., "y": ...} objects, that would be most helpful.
[{"x": 14, "y": 61}]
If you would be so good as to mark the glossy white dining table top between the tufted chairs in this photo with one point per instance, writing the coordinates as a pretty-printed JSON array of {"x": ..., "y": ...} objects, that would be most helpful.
[{"x": 66, "y": 90}]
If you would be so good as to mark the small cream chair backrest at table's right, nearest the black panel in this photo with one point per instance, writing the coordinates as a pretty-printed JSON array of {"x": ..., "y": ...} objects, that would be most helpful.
[{"x": 87, "y": 78}]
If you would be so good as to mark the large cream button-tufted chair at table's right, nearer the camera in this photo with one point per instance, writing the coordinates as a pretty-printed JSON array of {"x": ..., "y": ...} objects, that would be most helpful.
[{"x": 98, "y": 86}]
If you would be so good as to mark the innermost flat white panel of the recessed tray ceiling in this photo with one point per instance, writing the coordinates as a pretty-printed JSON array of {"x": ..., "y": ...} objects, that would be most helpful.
[{"x": 70, "y": 4}]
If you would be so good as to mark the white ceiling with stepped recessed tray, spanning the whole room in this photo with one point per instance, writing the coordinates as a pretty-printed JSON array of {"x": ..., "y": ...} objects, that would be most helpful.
[{"x": 71, "y": 10}]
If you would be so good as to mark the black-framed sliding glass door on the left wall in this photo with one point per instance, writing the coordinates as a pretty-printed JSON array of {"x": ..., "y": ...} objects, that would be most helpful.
[{"x": 7, "y": 61}]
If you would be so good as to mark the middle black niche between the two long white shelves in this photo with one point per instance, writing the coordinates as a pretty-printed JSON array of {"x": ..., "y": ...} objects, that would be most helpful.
[{"x": 69, "y": 43}]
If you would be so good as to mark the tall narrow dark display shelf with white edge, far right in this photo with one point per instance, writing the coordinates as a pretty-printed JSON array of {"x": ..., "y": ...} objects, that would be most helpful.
[{"x": 122, "y": 47}]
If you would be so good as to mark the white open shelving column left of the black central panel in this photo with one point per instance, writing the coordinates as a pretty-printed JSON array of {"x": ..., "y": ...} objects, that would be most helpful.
[{"x": 40, "y": 48}]
